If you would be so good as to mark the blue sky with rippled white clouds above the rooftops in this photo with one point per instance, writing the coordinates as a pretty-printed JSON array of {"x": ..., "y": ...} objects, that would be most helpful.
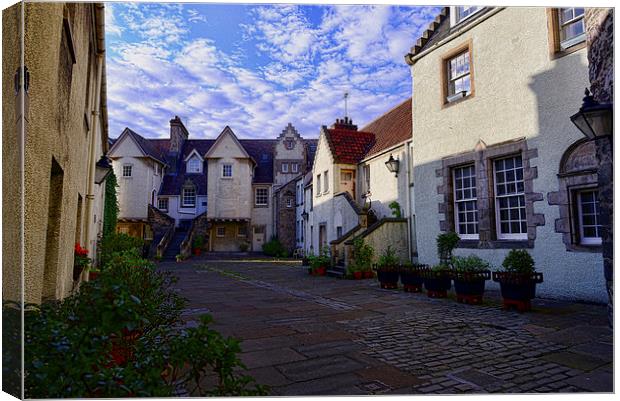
[{"x": 255, "y": 68}]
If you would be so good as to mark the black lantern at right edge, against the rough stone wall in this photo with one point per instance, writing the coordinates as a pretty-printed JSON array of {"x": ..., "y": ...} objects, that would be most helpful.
[{"x": 594, "y": 119}]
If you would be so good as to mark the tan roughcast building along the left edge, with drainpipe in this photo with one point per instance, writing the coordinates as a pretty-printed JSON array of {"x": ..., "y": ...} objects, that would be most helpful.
[{"x": 64, "y": 121}]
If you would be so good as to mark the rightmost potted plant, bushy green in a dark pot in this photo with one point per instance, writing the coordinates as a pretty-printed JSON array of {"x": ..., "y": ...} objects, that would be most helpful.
[{"x": 518, "y": 280}]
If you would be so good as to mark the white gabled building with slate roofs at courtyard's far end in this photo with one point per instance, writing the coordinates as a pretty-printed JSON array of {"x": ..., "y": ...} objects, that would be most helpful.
[{"x": 241, "y": 188}]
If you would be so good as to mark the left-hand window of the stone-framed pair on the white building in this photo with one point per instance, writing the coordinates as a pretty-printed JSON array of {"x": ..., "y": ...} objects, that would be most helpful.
[{"x": 465, "y": 202}]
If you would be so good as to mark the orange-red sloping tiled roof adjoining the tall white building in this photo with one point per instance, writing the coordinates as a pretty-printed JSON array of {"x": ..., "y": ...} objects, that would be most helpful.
[{"x": 392, "y": 128}]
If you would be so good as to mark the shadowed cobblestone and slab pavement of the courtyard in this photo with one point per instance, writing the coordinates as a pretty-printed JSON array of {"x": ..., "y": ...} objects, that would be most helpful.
[{"x": 305, "y": 335}]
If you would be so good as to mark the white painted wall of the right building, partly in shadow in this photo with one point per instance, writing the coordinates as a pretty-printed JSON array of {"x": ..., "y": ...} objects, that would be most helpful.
[{"x": 519, "y": 92}]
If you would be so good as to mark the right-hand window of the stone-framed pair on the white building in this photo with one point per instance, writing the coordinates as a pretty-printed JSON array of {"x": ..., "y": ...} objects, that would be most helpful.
[{"x": 510, "y": 199}]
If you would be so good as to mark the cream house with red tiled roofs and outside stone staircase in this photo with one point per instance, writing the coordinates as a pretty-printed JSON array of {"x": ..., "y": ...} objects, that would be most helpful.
[{"x": 353, "y": 194}]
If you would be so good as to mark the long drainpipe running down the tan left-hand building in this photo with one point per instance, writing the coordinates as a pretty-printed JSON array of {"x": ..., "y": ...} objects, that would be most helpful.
[{"x": 90, "y": 196}]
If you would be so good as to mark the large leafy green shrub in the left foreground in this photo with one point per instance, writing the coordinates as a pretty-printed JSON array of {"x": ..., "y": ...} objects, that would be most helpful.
[{"x": 121, "y": 333}]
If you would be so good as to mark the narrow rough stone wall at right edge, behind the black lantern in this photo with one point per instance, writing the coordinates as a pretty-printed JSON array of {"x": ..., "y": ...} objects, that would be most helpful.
[{"x": 600, "y": 42}]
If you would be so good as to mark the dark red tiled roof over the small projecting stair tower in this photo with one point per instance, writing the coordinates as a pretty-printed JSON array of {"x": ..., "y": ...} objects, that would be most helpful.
[{"x": 348, "y": 146}]
